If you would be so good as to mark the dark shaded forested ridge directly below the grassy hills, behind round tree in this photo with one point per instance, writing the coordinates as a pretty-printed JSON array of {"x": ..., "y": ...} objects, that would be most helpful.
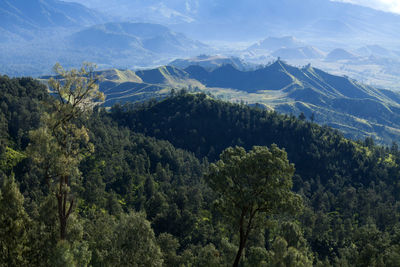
[{"x": 344, "y": 182}]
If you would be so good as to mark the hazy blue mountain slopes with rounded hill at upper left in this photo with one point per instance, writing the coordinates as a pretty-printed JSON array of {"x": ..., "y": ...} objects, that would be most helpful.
[{"x": 37, "y": 34}]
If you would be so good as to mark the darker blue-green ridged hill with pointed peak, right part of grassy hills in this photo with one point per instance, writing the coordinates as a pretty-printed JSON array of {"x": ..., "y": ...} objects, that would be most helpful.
[{"x": 340, "y": 102}]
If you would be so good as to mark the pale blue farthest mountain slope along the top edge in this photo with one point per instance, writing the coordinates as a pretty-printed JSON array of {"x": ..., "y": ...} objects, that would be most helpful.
[{"x": 238, "y": 20}]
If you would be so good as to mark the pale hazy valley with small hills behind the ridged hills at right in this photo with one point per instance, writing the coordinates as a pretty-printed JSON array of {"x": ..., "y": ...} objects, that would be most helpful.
[{"x": 370, "y": 62}]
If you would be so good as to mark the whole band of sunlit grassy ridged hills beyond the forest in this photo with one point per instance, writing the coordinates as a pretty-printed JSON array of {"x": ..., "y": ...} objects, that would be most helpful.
[{"x": 356, "y": 109}]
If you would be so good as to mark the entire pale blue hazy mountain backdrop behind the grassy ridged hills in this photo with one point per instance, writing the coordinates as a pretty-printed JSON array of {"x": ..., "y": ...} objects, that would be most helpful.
[{"x": 225, "y": 26}]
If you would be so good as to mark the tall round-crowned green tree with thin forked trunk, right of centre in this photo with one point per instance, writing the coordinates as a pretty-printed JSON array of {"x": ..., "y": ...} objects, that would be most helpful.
[{"x": 252, "y": 185}]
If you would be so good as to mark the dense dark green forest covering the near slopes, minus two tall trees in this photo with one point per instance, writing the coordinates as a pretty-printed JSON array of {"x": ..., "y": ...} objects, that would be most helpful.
[{"x": 141, "y": 200}]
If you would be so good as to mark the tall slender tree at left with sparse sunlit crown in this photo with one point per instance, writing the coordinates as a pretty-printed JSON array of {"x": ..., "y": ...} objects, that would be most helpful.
[{"x": 62, "y": 141}]
